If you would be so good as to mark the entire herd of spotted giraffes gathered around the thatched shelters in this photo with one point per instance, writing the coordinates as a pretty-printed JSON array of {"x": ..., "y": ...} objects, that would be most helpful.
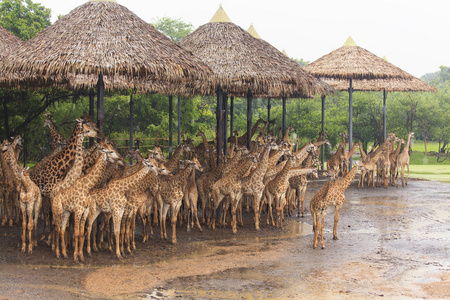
[{"x": 95, "y": 186}]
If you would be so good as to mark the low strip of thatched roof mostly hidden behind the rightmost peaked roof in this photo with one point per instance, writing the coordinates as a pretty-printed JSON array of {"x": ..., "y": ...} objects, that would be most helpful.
[{"x": 390, "y": 85}]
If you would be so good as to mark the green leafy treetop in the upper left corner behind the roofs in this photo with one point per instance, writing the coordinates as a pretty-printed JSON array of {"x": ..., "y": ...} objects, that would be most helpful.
[{"x": 23, "y": 17}]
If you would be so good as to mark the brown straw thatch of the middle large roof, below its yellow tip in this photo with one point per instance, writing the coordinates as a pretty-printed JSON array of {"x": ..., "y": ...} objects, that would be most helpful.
[{"x": 241, "y": 62}]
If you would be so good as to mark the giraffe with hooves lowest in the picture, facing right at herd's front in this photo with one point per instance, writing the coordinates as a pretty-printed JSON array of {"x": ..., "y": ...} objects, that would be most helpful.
[{"x": 72, "y": 199}]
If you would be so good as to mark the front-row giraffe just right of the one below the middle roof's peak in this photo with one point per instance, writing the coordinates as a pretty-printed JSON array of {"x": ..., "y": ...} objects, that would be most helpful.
[{"x": 253, "y": 185}]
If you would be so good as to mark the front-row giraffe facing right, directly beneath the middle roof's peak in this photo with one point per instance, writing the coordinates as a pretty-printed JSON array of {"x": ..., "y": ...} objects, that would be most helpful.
[{"x": 229, "y": 186}]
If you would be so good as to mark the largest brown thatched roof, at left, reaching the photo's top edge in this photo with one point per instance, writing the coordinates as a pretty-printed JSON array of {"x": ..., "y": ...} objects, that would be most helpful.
[{"x": 102, "y": 36}]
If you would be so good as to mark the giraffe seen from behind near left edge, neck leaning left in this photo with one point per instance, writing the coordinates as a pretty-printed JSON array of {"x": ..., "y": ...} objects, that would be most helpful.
[{"x": 30, "y": 198}]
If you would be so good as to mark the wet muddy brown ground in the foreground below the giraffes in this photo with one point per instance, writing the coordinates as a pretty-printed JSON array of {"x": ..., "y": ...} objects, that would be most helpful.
[{"x": 393, "y": 243}]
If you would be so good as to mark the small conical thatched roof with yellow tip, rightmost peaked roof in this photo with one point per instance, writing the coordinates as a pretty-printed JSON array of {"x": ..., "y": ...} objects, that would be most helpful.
[{"x": 352, "y": 61}]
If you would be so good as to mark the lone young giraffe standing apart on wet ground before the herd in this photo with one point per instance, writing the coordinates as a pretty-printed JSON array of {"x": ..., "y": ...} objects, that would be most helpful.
[{"x": 334, "y": 196}]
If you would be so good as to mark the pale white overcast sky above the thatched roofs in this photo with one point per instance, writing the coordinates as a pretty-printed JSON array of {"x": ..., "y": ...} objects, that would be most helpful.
[{"x": 412, "y": 34}]
